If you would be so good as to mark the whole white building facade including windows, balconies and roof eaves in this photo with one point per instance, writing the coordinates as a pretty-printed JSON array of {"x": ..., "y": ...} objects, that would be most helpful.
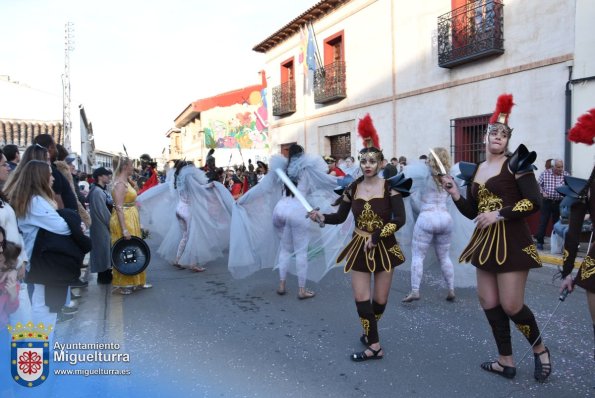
[{"x": 429, "y": 73}]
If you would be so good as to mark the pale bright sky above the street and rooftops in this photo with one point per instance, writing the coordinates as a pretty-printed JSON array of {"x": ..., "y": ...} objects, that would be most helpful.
[{"x": 137, "y": 64}]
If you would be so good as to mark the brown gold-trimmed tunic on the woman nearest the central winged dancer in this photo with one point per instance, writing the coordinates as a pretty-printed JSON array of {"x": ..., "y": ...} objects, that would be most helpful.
[{"x": 372, "y": 217}]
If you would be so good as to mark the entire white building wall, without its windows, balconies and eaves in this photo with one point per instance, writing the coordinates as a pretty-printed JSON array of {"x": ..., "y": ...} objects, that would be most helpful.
[{"x": 393, "y": 73}]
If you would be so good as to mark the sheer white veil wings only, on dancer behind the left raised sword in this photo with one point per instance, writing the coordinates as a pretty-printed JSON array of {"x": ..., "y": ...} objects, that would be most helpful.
[{"x": 254, "y": 242}]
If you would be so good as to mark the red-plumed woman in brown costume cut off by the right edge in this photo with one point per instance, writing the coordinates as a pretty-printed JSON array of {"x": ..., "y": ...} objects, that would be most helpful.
[{"x": 583, "y": 131}]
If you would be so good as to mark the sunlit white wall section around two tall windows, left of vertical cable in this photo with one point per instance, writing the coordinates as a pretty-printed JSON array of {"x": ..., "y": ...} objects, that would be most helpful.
[{"x": 368, "y": 67}]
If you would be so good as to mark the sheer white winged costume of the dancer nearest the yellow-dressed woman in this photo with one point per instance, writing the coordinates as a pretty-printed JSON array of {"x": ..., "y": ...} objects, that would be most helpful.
[{"x": 203, "y": 210}]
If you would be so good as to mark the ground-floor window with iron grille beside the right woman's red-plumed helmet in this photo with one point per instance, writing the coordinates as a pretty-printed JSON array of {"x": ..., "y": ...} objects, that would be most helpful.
[{"x": 466, "y": 138}]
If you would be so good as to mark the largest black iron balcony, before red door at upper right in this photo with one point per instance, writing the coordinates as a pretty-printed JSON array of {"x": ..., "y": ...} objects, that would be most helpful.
[{"x": 471, "y": 32}]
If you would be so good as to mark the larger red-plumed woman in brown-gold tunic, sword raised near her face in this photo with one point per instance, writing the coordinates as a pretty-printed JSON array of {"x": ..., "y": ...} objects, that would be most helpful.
[{"x": 502, "y": 191}]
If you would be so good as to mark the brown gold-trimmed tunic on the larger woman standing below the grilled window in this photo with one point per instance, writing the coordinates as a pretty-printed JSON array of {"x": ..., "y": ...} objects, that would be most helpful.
[{"x": 506, "y": 245}]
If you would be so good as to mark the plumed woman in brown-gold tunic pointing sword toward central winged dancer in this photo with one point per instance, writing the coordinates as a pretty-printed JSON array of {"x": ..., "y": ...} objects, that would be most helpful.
[{"x": 378, "y": 209}]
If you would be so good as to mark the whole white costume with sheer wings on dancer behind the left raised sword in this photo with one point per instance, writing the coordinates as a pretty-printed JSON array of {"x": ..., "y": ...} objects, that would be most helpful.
[{"x": 265, "y": 221}]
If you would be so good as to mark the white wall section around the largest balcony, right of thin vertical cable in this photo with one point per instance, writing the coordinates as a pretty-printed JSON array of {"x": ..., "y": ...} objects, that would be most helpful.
[{"x": 534, "y": 68}]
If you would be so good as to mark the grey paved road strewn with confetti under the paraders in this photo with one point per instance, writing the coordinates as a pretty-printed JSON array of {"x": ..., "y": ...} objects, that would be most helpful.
[{"x": 208, "y": 335}]
